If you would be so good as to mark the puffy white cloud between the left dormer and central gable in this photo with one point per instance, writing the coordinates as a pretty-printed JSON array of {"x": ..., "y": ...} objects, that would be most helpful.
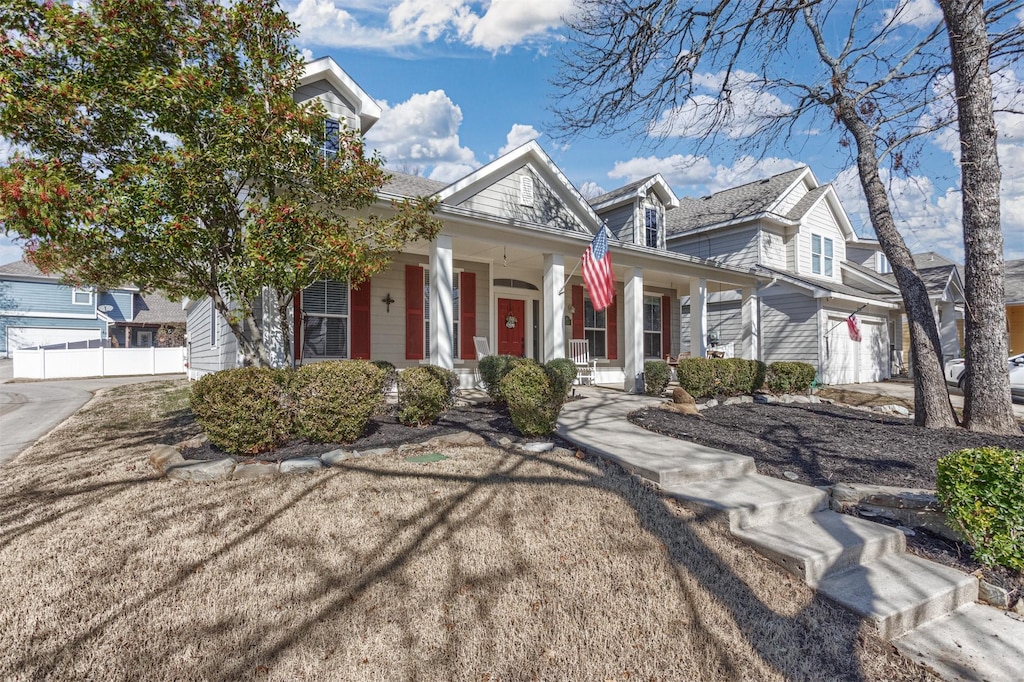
[{"x": 422, "y": 133}]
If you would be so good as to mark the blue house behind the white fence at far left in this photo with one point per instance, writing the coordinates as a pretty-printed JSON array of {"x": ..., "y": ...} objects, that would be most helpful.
[{"x": 37, "y": 310}]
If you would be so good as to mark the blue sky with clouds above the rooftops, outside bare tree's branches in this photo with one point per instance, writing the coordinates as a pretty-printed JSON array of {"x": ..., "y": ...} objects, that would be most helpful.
[{"x": 463, "y": 81}]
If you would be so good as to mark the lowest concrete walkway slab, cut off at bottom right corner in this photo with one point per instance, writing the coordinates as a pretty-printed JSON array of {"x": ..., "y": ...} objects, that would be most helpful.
[{"x": 975, "y": 643}]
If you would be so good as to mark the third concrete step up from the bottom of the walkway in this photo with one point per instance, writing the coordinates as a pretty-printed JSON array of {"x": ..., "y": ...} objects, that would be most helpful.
[{"x": 826, "y": 542}]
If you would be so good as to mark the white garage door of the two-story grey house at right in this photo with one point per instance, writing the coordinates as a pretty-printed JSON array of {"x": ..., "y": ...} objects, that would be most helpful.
[{"x": 850, "y": 362}]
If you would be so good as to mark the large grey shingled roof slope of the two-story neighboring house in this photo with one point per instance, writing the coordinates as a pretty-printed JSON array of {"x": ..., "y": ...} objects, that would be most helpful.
[{"x": 732, "y": 205}]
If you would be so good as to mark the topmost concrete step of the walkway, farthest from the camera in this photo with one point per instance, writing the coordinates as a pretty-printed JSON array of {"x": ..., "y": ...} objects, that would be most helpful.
[{"x": 746, "y": 502}]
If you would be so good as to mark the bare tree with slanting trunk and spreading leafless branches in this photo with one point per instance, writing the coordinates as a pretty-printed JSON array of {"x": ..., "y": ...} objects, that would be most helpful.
[{"x": 639, "y": 66}]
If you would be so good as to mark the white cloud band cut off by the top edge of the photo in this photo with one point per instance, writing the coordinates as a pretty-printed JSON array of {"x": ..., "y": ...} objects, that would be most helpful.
[{"x": 496, "y": 26}]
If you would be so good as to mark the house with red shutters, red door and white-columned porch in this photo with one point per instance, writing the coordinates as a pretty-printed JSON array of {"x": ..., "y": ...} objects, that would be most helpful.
[{"x": 503, "y": 268}]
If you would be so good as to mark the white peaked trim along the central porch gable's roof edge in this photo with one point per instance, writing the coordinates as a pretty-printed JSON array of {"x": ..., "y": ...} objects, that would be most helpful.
[{"x": 531, "y": 153}]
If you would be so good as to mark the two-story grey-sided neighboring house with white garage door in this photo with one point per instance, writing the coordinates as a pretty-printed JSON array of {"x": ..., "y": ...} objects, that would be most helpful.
[{"x": 816, "y": 274}]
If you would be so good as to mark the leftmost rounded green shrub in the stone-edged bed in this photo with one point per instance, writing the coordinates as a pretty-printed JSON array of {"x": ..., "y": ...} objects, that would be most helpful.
[{"x": 246, "y": 411}]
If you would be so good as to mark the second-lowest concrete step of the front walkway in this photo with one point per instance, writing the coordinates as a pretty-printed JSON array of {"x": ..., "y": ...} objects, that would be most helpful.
[{"x": 900, "y": 592}]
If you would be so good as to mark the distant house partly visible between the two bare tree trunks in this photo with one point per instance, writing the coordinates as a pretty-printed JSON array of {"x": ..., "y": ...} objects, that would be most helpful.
[{"x": 945, "y": 283}]
